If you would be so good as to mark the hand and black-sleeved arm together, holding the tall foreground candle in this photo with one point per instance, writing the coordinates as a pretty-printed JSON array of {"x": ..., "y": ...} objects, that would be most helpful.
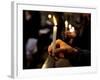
[{"x": 76, "y": 56}]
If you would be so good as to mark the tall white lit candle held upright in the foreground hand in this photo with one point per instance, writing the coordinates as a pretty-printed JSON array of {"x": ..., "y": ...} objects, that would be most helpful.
[{"x": 54, "y": 34}]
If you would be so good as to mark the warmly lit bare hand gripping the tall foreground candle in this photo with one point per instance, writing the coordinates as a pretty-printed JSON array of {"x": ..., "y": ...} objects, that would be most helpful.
[{"x": 61, "y": 49}]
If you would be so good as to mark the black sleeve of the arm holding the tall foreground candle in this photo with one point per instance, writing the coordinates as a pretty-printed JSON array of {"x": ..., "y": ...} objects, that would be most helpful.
[{"x": 80, "y": 58}]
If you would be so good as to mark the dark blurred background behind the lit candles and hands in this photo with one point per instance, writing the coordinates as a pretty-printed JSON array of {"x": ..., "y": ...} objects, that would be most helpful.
[{"x": 39, "y": 20}]
